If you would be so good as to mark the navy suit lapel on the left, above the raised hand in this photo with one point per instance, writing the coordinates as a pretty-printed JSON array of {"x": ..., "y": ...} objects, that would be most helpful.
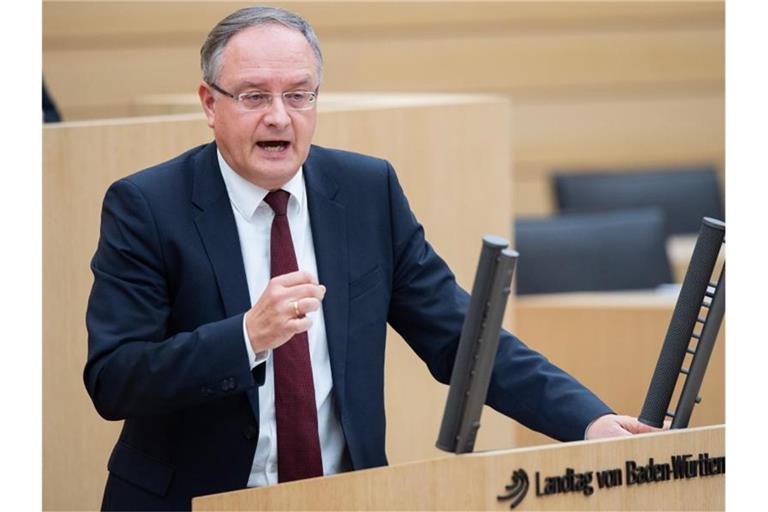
[{"x": 216, "y": 224}]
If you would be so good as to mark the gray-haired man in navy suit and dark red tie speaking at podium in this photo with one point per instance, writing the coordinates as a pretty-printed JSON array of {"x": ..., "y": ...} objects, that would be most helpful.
[{"x": 210, "y": 332}]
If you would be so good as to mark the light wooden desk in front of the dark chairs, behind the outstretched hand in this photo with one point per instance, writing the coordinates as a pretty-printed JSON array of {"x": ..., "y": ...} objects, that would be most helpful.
[{"x": 611, "y": 341}]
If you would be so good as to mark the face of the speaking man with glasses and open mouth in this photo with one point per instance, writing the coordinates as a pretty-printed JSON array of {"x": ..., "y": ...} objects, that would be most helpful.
[{"x": 265, "y": 146}]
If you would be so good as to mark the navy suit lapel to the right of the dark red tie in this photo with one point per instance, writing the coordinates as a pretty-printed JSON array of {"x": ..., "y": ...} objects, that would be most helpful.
[{"x": 329, "y": 234}]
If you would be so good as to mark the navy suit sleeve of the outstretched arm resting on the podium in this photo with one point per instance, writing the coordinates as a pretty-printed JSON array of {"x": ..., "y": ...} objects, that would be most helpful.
[{"x": 428, "y": 309}]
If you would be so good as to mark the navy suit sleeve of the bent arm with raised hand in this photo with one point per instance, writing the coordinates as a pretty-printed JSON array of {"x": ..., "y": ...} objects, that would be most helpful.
[{"x": 134, "y": 367}]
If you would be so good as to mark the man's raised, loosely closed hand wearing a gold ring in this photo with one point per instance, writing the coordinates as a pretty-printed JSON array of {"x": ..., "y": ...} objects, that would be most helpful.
[{"x": 281, "y": 310}]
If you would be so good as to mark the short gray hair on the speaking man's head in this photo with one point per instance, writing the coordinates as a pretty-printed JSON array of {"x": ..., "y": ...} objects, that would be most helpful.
[{"x": 213, "y": 47}]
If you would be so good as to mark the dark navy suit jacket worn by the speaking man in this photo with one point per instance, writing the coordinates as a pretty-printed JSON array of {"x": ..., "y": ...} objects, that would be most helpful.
[{"x": 166, "y": 350}]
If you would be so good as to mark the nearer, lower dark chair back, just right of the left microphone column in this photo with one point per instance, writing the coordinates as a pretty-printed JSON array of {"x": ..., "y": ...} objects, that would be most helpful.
[{"x": 622, "y": 250}]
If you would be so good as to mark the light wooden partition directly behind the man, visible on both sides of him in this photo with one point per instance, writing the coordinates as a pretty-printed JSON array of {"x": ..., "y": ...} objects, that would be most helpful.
[{"x": 431, "y": 143}]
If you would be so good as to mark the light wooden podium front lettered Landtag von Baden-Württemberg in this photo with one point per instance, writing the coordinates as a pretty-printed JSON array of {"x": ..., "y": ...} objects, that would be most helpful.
[{"x": 678, "y": 470}]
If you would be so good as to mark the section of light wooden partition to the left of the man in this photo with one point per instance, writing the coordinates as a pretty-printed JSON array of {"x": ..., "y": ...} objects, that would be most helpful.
[{"x": 80, "y": 160}]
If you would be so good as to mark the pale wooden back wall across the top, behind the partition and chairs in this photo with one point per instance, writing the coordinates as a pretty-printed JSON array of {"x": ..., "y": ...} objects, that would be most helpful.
[{"x": 593, "y": 85}]
